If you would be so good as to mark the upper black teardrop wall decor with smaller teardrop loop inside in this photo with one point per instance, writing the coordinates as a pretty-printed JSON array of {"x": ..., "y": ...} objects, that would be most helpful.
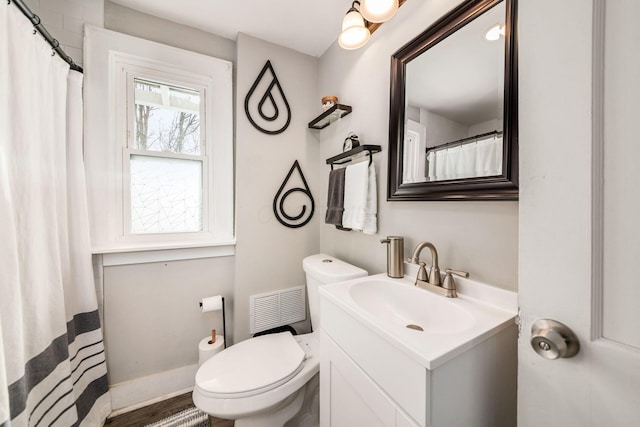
[{"x": 267, "y": 113}]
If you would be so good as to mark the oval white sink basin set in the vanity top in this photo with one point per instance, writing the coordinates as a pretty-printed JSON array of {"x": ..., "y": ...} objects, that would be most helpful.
[{"x": 410, "y": 307}]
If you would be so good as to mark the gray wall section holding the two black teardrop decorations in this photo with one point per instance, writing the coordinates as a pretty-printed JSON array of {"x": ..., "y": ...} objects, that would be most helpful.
[{"x": 268, "y": 254}]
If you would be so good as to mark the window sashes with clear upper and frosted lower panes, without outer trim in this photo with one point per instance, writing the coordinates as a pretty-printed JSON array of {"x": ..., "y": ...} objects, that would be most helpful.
[{"x": 167, "y": 159}]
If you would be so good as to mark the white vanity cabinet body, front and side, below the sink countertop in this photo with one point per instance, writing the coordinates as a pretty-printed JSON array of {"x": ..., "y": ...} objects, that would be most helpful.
[{"x": 369, "y": 379}]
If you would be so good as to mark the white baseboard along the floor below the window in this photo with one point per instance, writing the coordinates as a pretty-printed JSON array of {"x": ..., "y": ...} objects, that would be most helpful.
[{"x": 144, "y": 391}]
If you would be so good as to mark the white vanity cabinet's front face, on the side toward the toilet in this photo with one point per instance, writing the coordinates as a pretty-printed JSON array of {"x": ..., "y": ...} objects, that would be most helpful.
[{"x": 363, "y": 378}]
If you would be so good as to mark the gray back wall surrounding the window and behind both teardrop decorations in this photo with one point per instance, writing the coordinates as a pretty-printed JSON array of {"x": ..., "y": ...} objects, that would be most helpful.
[{"x": 268, "y": 255}]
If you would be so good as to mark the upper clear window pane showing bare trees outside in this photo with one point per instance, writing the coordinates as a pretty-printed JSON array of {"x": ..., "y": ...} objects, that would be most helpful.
[{"x": 167, "y": 118}]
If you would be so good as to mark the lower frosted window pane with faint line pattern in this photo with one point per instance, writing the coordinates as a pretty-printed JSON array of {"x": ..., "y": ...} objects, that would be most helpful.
[{"x": 166, "y": 195}]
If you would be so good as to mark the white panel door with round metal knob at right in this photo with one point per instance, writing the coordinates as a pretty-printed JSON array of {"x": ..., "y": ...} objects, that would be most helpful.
[{"x": 580, "y": 209}]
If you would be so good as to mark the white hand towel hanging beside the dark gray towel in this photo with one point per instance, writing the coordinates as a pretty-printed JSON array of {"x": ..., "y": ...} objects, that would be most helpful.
[{"x": 360, "y": 198}]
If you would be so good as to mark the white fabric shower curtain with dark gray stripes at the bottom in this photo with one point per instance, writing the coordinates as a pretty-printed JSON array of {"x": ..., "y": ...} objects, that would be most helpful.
[{"x": 52, "y": 363}]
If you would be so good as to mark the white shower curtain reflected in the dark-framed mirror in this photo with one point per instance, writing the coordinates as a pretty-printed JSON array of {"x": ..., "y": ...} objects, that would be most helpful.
[{"x": 473, "y": 159}]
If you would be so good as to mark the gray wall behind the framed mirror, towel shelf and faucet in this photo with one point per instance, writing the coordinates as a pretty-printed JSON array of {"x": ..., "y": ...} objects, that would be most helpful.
[{"x": 479, "y": 237}]
